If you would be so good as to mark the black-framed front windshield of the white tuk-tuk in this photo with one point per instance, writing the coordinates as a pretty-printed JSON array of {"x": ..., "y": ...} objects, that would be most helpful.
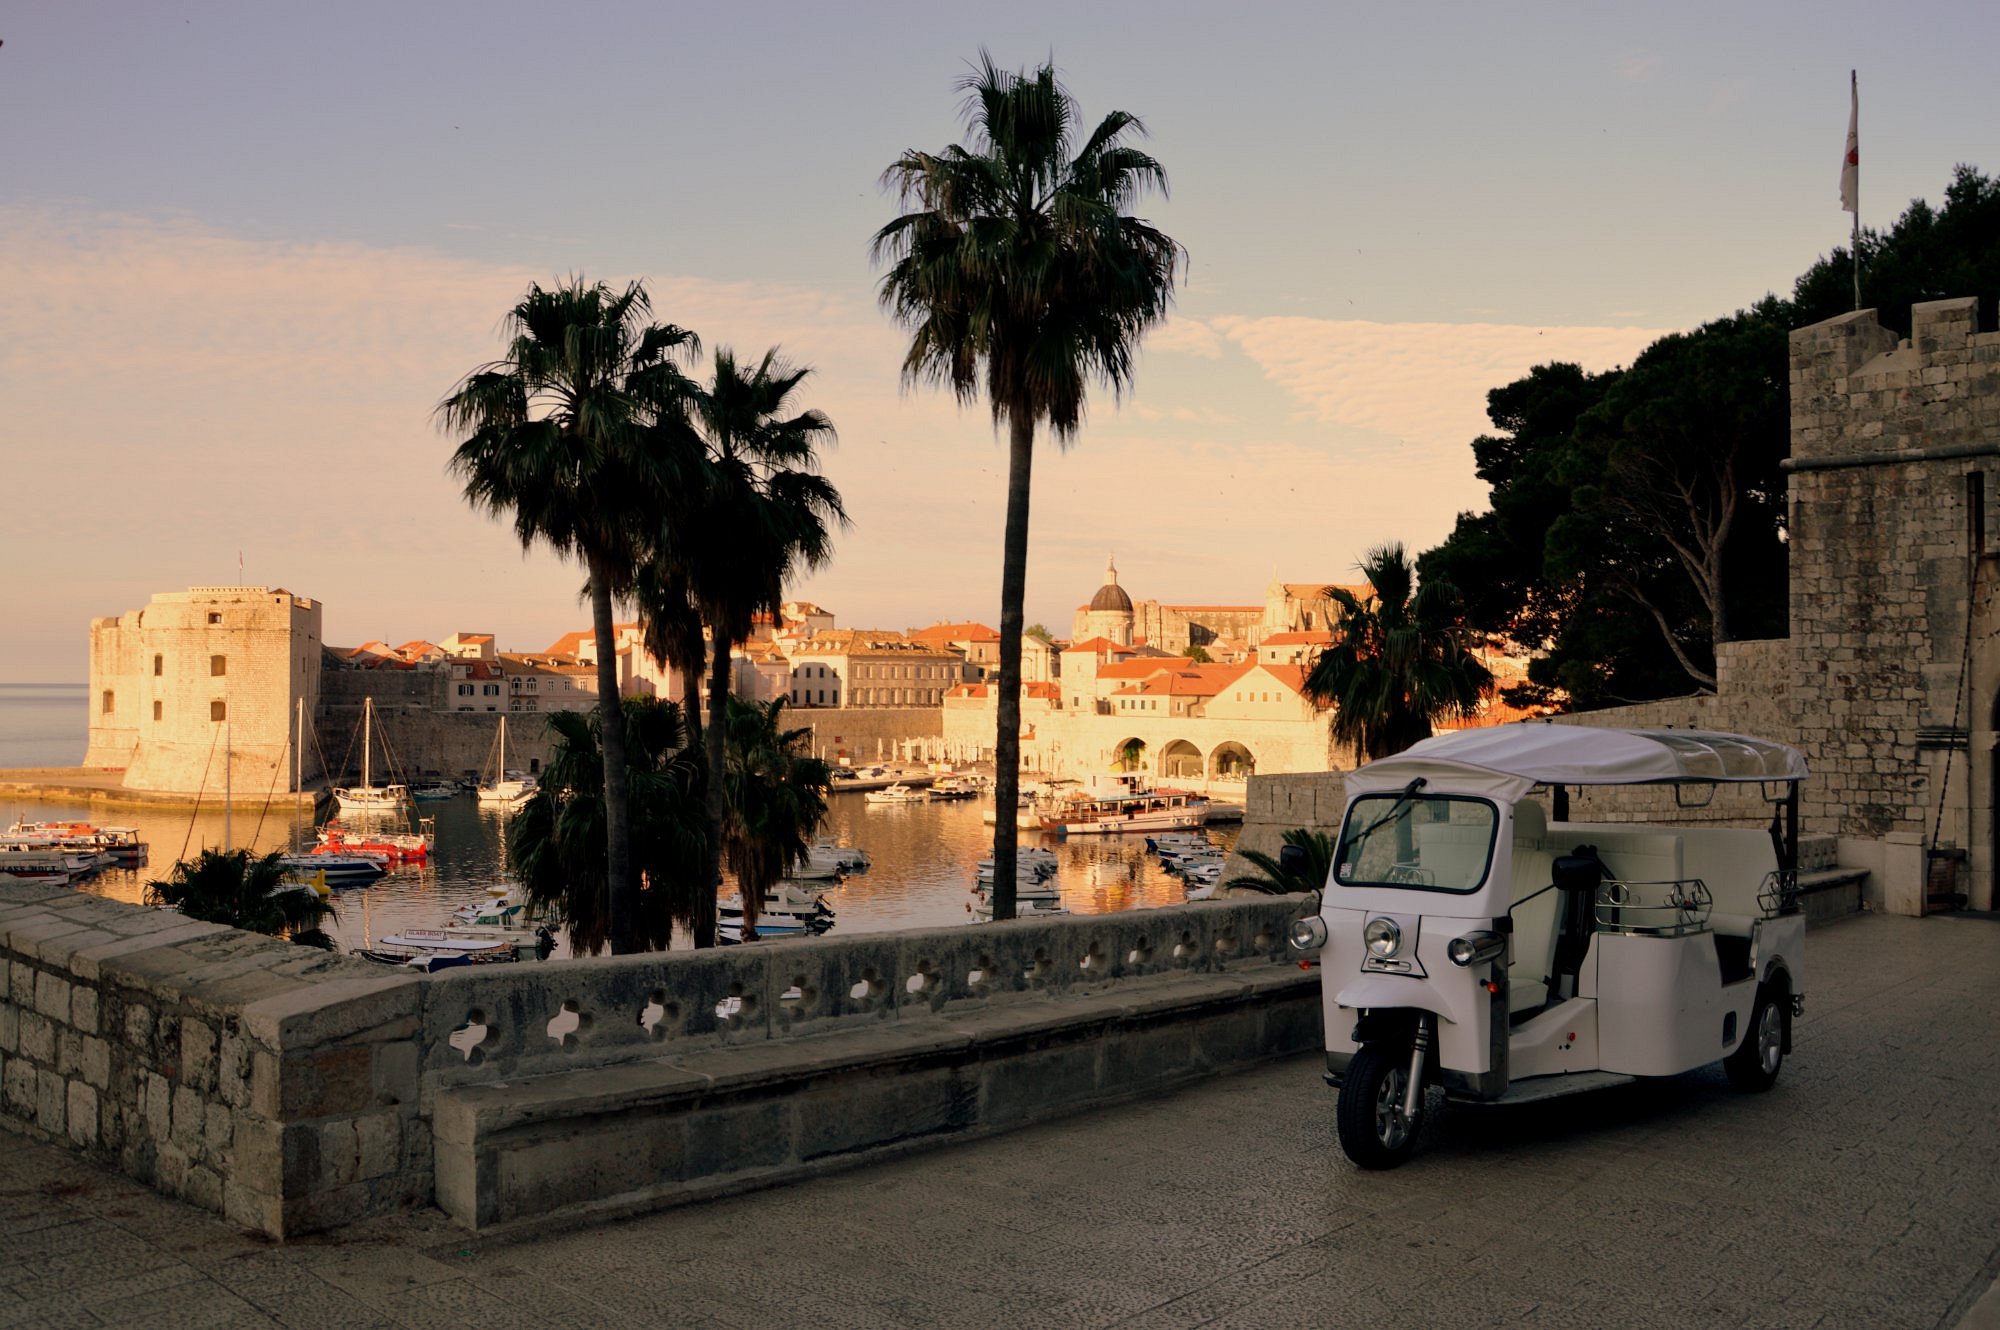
[{"x": 1427, "y": 841}]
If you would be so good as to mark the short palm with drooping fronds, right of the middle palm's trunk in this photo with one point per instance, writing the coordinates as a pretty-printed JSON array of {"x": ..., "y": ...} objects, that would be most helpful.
[{"x": 777, "y": 801}]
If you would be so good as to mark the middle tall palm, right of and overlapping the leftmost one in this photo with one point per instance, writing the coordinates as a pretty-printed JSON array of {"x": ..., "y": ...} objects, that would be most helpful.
[{"x": 763, "y": 515}]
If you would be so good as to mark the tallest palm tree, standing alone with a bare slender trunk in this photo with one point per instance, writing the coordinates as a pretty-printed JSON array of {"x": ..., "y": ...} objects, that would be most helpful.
[{"x": 1019, "y": 273}]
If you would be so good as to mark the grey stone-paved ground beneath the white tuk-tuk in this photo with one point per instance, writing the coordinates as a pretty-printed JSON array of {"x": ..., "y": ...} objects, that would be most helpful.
[{"x": 1865, "y": 1191}]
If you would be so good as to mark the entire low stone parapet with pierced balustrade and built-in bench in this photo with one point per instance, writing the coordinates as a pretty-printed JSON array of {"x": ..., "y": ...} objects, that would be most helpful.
[{"x": 297, "y": 1091}]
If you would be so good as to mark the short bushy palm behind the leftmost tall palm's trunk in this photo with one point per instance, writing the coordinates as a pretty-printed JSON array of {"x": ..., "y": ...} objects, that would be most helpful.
[{"x": 557, "y": 843}]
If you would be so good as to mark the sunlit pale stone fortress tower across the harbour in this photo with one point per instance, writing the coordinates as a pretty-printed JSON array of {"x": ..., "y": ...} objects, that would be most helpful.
[{"x": 171, "y": 683}]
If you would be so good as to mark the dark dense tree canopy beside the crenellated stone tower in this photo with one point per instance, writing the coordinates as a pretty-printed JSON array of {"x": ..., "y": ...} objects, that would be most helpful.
[{"x": 1637, "y": 517}]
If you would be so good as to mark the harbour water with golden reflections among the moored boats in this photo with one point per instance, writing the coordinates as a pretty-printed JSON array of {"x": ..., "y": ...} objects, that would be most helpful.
[{"x": 925, "y": 861}]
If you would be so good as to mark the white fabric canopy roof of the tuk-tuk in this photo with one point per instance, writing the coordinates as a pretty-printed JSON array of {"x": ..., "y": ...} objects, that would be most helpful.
[{"x": 1509, "y": 761}]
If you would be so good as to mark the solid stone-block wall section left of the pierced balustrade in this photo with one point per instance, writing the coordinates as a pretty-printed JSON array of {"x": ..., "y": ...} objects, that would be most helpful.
[{"x": 267, "y": 1083}]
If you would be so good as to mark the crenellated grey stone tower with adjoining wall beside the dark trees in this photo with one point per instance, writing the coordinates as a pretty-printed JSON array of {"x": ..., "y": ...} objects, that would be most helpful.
[{"x": 1891, "y": 675}]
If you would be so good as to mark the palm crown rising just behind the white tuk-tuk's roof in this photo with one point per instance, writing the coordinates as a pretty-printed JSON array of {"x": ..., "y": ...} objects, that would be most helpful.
[{"x": 1399, "y": 661}]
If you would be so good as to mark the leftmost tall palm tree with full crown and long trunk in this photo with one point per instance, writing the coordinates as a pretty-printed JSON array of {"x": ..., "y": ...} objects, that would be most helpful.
[{"x": 559, "y": 435}]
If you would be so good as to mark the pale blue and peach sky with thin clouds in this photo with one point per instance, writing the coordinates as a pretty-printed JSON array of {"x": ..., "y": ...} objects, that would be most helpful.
[{"x": 245, "y": 251}]
